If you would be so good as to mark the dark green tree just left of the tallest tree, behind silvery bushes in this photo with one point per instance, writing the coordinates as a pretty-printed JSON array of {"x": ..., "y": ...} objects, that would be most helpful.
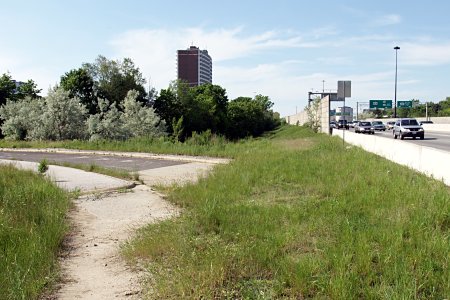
[{"x": 80, "y": 84}]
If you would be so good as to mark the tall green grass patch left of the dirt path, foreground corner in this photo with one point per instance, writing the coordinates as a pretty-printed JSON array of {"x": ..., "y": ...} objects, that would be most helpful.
[{"x": 32, "y": 225}]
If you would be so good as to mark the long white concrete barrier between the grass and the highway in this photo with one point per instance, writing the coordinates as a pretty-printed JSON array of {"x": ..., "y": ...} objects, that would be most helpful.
[{"x": 430, "y": 161}]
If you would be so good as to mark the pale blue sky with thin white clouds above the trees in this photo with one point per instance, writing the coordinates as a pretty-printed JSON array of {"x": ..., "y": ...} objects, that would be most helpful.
[{"x": 282, "y": 49}]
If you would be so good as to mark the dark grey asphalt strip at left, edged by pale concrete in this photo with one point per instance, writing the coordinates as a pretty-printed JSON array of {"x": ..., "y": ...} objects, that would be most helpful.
[{"x": 118, "y": 162}]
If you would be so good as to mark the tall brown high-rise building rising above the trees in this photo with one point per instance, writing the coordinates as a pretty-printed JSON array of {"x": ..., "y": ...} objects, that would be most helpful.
[{"x": 194, "y": 66}]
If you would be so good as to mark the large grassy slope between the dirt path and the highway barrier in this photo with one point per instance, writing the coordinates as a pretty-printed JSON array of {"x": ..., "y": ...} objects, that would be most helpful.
[{"x": 295, "y": 215}]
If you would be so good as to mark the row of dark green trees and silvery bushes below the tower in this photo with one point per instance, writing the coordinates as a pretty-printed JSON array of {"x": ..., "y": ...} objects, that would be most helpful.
[{"x": 107, "y": 99}]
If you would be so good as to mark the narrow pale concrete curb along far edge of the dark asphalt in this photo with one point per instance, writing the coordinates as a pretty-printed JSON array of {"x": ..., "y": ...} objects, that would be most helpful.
[{"x": 185, "y": 158}]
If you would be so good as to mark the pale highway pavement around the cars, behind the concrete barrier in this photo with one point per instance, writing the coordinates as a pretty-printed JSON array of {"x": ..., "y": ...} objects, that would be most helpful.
[{"x": 437, "y": 140}]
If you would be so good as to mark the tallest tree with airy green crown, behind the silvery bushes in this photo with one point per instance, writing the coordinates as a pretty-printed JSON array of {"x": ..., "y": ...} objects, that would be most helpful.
[{"x": 113, "y": 79}]
